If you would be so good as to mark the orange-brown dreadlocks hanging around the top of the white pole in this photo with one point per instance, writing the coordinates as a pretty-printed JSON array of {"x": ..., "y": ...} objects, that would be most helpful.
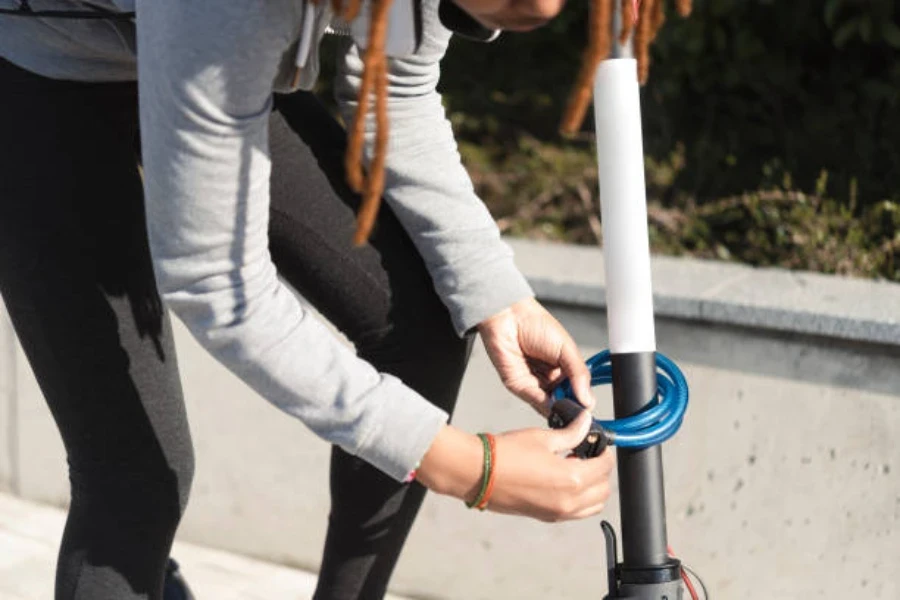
[{"x": 641, "y": 19}]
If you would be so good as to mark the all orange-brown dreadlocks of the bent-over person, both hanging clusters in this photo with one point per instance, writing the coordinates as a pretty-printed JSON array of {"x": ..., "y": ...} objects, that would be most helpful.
[{"x": 641, "y": 19}]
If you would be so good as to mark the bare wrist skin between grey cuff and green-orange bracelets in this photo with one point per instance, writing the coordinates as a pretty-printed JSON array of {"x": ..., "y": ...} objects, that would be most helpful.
[{"x": 453, "y": 464}]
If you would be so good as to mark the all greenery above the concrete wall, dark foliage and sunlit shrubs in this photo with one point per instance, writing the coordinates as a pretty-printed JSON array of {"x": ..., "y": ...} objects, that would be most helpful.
[{"x": 771, "y": 132}]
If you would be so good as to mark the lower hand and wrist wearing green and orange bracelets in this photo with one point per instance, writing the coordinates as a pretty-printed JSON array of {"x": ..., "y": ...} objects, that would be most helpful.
[{"x": 532, "y": 477}]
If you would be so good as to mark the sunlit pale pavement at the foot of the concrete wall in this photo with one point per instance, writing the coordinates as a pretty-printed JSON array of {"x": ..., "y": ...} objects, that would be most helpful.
[{"x": 29, "y": 538}]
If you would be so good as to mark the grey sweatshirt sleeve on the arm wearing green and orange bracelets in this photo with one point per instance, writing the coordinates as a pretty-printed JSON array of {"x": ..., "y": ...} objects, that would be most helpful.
[{"x": 205, "y": 81}]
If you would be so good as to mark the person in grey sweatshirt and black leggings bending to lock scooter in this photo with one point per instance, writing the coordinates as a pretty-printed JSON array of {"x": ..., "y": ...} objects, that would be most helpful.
[{"x": 244, "y": 180}]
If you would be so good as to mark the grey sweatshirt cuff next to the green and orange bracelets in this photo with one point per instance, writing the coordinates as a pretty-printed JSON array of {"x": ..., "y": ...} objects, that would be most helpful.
[{"x": 401, "y": 431}]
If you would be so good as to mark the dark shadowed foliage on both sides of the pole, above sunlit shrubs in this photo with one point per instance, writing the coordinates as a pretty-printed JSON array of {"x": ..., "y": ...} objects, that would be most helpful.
[{"x": 753, "y": 89}]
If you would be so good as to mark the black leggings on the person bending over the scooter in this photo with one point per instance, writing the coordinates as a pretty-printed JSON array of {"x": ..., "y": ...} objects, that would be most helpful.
[{"x": 76, "y": 278}]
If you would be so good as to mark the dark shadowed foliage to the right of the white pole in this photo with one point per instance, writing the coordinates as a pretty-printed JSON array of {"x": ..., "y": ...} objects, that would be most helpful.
[{"x": 758, "y": 90}]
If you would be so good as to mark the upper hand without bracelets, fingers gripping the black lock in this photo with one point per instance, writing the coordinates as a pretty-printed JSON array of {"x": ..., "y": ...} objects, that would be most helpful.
[{"x": 532, "y": 353}]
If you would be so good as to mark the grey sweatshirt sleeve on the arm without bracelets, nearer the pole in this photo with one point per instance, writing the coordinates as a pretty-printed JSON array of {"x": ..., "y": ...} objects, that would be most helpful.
[{"x": 427, "y": 186}]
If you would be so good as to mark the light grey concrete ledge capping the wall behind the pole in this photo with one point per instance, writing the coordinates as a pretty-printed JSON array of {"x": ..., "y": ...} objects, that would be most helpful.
[{"x": 727, "y": 293}]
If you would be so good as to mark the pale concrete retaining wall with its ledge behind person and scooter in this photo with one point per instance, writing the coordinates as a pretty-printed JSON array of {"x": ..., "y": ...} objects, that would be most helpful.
[{"x": 783, "y": 482}]
